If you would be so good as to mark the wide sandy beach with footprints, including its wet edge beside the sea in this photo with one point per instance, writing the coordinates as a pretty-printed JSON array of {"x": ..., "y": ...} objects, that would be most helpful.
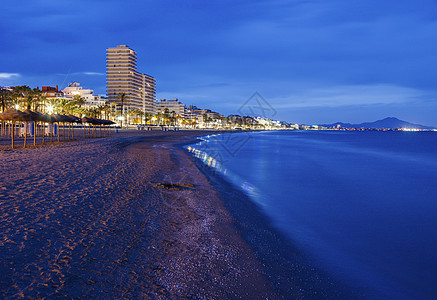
[{"x": 133, "y": 216}]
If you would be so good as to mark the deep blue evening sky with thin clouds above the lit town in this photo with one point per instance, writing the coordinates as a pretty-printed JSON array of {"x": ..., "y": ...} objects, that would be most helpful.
[{"x": 312, "y": 62}]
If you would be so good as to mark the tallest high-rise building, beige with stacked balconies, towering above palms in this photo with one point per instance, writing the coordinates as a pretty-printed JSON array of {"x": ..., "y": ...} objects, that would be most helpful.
[{"x": 122, "y": 77}]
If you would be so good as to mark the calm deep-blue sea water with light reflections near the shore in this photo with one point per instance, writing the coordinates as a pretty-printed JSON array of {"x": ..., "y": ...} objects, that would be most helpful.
[{"x": 362, "y": 205}]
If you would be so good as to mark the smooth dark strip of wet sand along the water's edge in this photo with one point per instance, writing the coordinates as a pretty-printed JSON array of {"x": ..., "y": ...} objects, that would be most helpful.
[{"x": 290, "y": 272}]
